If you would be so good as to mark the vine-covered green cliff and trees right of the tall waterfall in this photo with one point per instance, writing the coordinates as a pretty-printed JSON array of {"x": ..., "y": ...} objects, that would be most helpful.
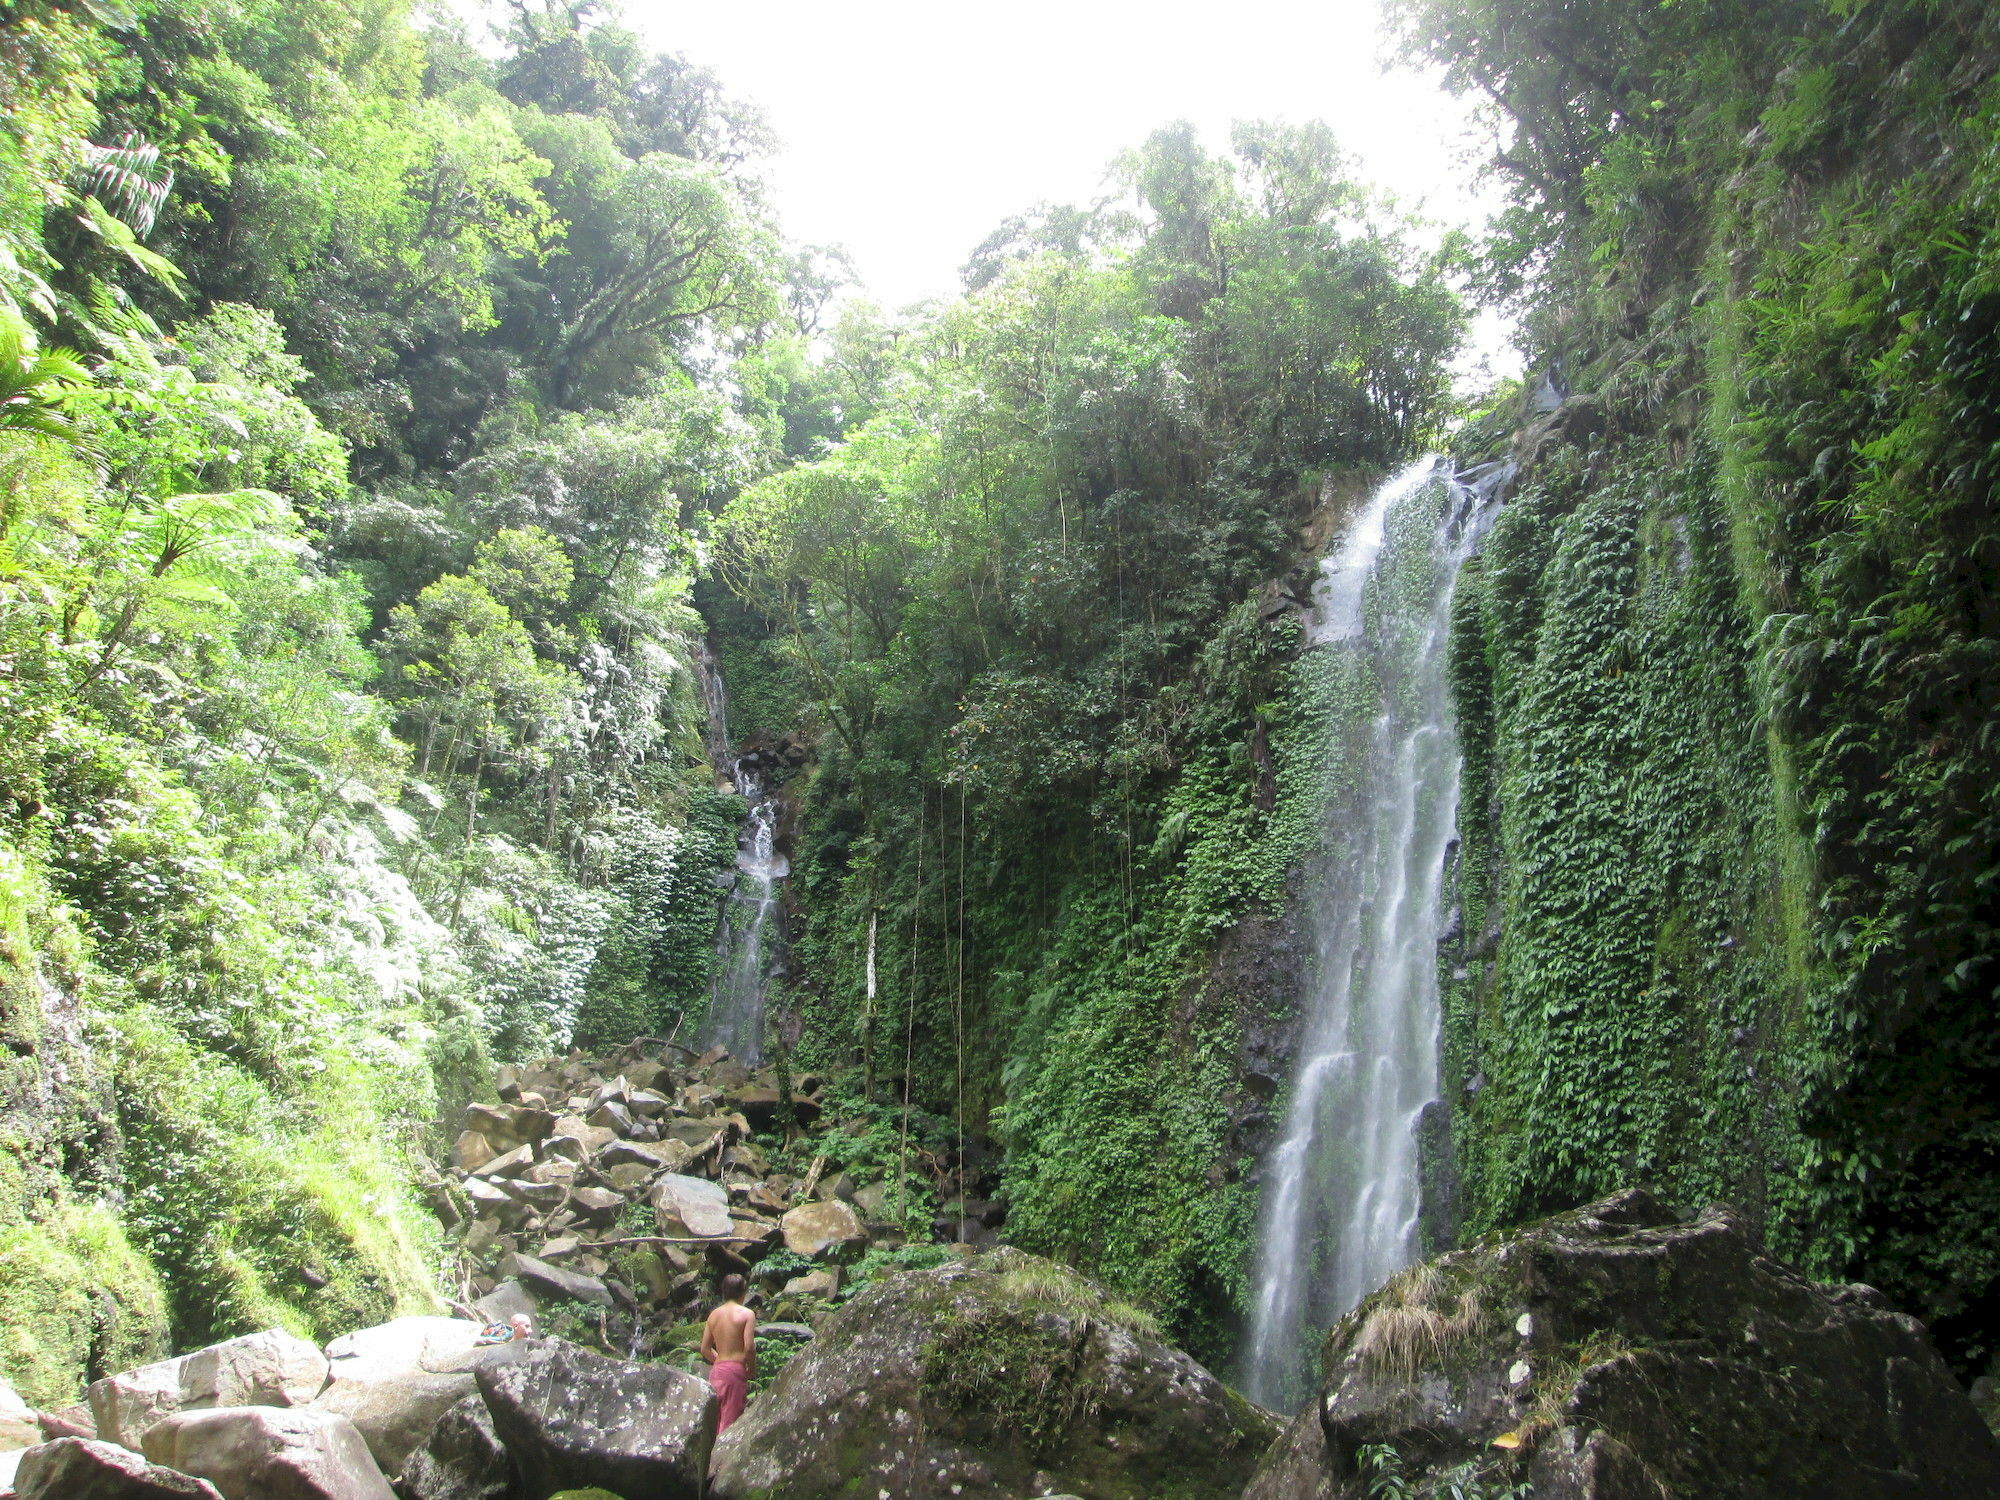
[{"x": 1727, "y": 665}]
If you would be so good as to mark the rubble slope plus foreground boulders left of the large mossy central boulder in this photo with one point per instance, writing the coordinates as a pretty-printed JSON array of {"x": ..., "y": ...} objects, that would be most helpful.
[{"x": 601, "y": 1197}]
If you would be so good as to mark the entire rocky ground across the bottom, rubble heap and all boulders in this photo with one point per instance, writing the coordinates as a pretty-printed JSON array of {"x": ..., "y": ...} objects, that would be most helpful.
[{"x": 1617, "y": 1353}]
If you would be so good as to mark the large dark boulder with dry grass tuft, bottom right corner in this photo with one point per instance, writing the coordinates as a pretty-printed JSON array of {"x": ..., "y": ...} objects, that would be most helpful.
[{"x": 1629, "y": 1353}]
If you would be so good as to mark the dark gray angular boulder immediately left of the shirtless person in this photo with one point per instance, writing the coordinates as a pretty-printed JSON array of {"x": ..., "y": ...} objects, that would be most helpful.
[{"x": 573, "y": 1419}]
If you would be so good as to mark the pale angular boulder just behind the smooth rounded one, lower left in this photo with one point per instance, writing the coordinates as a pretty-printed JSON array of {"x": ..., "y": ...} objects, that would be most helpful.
[{"x": 269, "y": 1369}]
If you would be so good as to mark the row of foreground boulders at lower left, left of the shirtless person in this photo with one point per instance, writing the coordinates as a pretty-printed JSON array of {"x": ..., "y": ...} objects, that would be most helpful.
[{"x": 423, "y": 1401}]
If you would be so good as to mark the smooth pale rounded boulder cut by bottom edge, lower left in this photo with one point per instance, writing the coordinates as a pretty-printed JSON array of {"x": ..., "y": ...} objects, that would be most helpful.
[{"x": 259, "y": 1453}]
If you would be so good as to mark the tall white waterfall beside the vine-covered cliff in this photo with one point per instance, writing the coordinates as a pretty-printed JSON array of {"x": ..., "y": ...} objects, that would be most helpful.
[{"x": 1341, "y": 1187}]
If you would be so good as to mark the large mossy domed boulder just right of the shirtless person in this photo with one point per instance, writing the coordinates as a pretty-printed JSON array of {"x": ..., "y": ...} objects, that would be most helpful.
[{"x": 1001, "y": 1377}]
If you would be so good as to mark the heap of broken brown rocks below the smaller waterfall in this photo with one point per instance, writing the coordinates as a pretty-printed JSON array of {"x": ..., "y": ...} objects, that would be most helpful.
[{"x": 631, "y": 1183}]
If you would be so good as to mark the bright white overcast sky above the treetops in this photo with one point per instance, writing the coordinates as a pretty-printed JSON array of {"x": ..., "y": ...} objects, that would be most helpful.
[{"x": 911, "y": 129}]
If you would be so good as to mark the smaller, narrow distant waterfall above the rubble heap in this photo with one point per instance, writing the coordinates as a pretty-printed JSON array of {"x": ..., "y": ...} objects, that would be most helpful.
[{"x": 749, "y": 935}]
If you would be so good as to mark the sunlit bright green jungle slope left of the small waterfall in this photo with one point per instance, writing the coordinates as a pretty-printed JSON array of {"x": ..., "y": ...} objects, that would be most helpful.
[{"x": 359, "y": 407}]
